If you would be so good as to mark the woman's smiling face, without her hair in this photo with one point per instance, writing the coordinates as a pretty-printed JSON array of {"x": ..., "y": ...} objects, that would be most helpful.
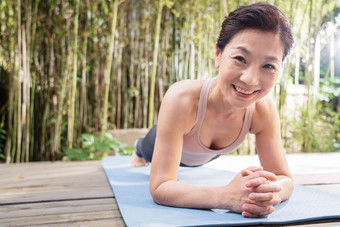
[{"x": 249, "y": 66}]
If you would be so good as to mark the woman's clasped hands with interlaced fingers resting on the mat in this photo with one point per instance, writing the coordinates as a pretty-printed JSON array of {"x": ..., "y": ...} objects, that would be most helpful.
[{"x": 255, "y": 192}]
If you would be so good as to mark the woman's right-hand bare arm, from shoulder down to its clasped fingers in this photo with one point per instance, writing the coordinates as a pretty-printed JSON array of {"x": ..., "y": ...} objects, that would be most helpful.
[{"x": 266, "y": 126}]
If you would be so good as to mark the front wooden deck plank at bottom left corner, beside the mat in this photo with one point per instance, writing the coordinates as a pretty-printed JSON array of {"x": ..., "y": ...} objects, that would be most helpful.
[{"x": 87, "y": 212}]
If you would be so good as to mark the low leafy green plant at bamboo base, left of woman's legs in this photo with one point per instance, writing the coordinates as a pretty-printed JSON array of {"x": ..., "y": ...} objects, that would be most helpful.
[{"x": 93, "y": 148}]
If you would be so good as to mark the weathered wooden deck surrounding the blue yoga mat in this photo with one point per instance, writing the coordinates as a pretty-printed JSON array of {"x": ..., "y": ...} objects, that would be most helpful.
[{"x": 78, "y": 193}]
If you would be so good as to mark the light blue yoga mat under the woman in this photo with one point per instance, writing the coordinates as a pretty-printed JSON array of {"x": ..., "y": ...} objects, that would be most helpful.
[{"x": 131, "y": 188}]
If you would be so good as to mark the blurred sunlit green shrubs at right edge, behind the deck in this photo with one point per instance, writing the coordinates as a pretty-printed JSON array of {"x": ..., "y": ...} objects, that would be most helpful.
[{"x": 319, "y": 130}]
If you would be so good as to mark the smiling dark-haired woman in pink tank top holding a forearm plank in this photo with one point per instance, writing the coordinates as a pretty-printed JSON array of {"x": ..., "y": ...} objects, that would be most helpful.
[{"x": 199, "y": 120}]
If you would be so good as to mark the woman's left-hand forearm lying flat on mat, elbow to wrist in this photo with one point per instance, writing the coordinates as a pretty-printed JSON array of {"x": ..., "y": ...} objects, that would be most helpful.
[{"x": 180, "y": 194}]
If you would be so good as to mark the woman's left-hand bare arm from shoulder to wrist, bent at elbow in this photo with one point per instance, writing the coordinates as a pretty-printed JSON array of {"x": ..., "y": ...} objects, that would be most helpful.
[{"x": 175, "y": 118}]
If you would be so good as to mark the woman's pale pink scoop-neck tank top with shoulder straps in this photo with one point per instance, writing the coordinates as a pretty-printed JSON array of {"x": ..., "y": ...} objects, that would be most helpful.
[{"x": 194, "y": 152}]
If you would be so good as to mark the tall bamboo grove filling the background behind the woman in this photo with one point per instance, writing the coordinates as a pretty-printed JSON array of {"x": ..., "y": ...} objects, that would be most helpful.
[{"x": 69, "y": 67}]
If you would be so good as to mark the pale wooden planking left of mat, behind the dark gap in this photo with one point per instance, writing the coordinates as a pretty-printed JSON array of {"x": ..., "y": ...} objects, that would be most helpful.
[{"x": 53, "y": 181}]
